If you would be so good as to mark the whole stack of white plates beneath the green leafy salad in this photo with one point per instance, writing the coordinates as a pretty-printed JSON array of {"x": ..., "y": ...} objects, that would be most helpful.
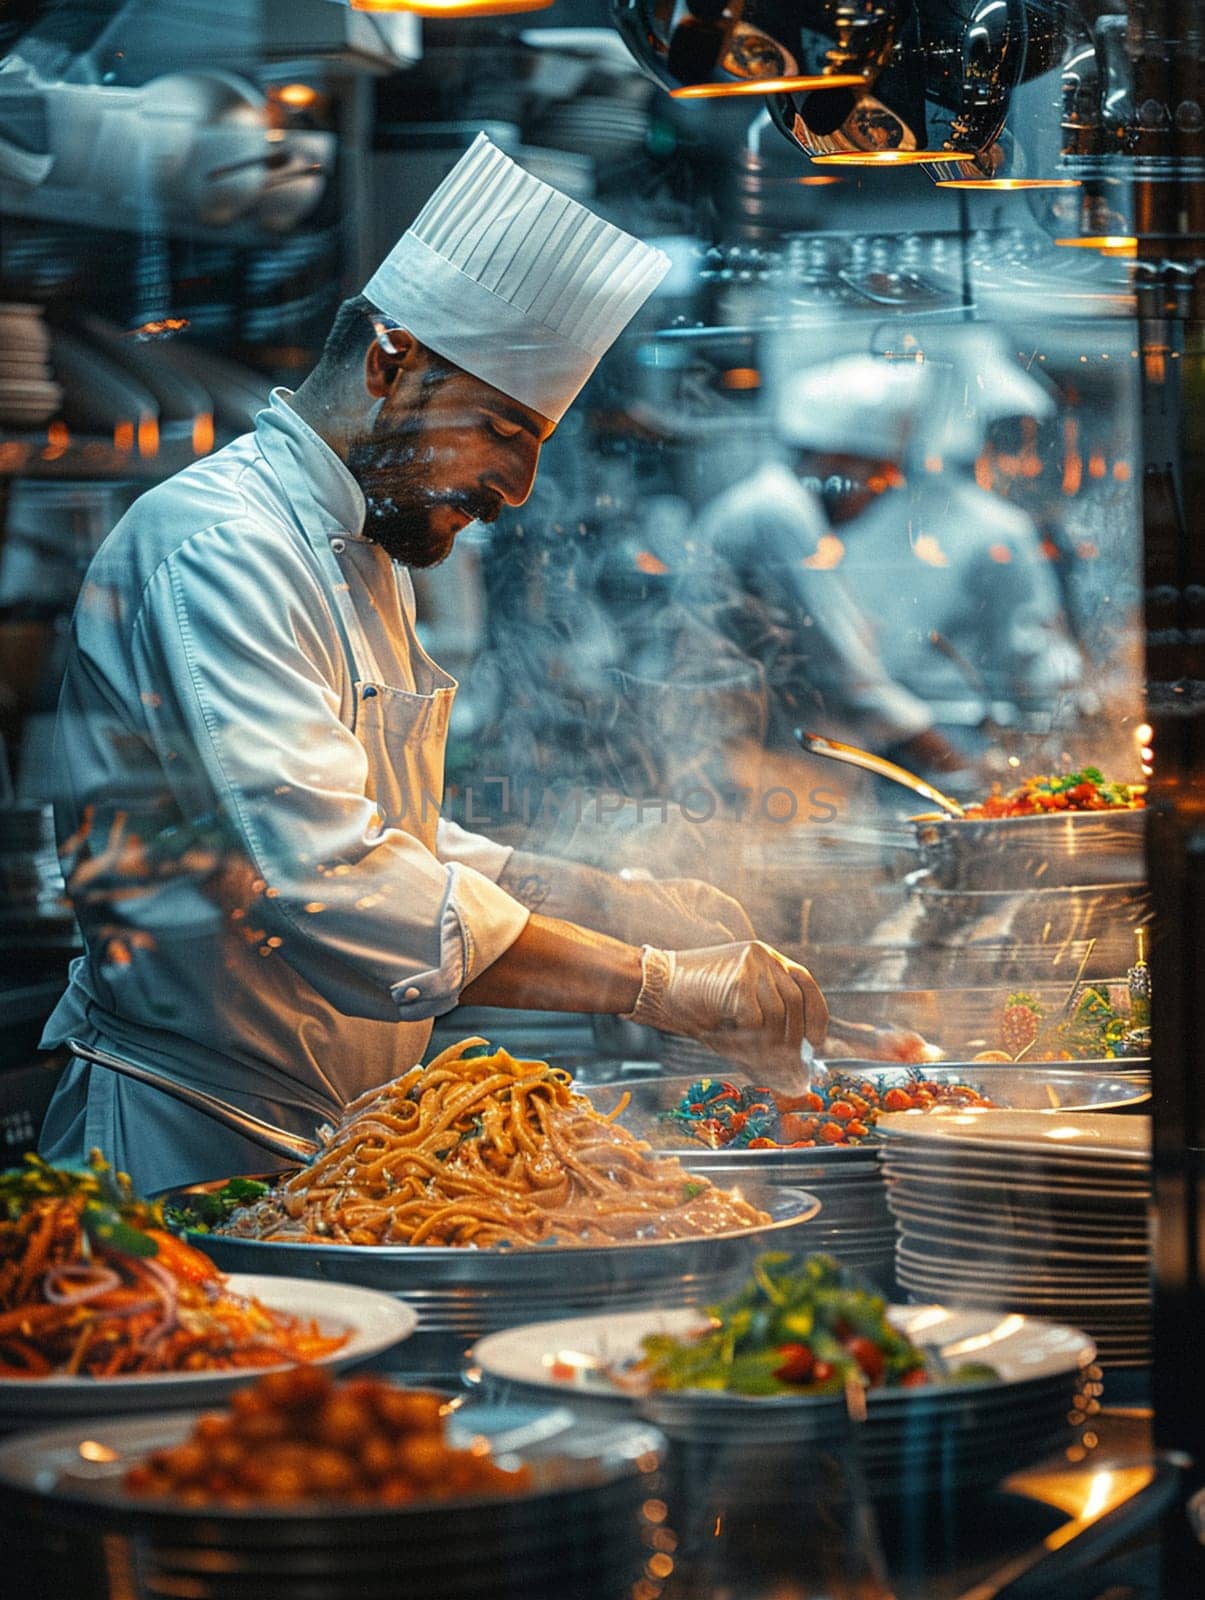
[{"x": 947, "y": 1434}]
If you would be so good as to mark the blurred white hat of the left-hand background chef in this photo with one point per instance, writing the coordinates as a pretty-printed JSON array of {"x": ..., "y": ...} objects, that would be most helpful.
[{"x": 859, "y": 406}]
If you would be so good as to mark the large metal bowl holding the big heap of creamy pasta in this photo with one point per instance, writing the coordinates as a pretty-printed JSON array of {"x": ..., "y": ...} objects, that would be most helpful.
[{"x": 462, "y": 1294}]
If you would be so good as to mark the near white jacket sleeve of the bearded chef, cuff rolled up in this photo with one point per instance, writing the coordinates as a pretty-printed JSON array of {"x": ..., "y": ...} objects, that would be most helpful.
[{"x": 247, "y": 705}]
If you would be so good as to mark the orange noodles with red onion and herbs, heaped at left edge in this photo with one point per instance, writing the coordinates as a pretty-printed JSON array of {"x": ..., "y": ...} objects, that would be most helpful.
[{"x": 94, "y": 1286}]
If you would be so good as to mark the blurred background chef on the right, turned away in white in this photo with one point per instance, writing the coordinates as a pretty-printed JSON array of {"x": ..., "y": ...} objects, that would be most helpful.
[{"x": 963, "y": 606}]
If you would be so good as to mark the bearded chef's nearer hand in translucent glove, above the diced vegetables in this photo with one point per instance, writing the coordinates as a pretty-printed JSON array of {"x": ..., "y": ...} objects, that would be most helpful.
[{"x": 743, "y": 1001}]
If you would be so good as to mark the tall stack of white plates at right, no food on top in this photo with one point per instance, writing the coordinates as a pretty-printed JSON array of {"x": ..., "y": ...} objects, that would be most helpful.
[{"x": 1031, "y": 1212}]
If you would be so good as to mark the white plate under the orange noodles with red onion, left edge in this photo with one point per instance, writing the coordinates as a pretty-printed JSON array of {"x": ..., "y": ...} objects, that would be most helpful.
[{"x": 375, "y": 1321}]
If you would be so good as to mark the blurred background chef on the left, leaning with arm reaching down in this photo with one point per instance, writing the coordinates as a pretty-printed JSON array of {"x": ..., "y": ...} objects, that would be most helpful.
[{"x": 769, "y": 570}]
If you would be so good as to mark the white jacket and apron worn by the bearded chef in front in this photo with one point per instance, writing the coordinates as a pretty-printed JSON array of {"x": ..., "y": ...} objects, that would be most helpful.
[{"x": 249, "y": 774}]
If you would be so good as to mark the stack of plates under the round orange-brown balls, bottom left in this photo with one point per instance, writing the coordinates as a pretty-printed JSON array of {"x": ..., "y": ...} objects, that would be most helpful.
[{"x": 578, "y": 1530}]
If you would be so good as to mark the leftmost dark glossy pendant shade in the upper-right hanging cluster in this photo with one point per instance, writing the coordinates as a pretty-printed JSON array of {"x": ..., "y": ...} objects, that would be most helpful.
[{"x": 708, "y": 49}]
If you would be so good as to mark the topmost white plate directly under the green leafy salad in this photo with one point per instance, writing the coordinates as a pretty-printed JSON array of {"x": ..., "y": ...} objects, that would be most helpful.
[{"x": 1019, "y": 1348}]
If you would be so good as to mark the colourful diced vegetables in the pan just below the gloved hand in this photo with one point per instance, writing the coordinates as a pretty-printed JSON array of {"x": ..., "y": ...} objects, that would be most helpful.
[{"x": 843, "y": 1111}]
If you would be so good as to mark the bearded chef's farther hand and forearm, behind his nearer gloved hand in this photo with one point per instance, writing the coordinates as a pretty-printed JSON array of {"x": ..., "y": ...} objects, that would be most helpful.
[{"x": 676, "y": 914}]
